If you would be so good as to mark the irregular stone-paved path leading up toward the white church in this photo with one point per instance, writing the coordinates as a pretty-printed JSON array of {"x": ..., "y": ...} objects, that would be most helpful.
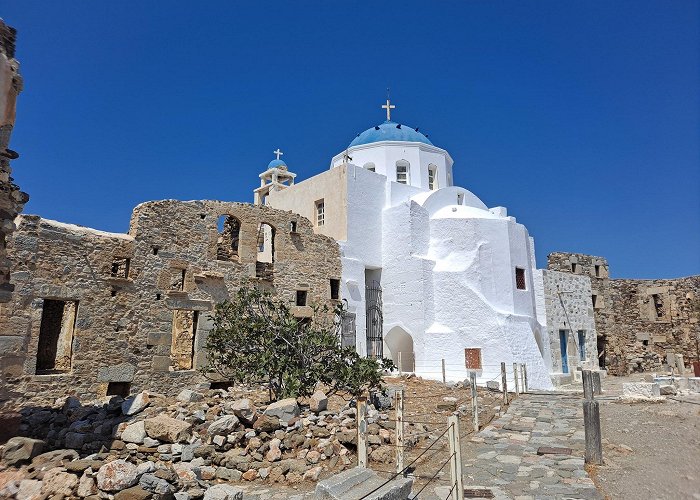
[{"x": 503, "y": 456}]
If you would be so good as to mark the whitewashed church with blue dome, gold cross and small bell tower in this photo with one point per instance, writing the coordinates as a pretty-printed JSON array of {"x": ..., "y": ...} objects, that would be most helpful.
[{"x": 429, "y": 272}]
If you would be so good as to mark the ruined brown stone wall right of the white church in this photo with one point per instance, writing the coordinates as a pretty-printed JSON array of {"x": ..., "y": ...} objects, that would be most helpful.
[{"x": 637, "y": 321}]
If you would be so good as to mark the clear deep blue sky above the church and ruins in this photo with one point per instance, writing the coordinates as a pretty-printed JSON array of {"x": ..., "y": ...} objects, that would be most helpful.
[{"x": 583, "y": 118}]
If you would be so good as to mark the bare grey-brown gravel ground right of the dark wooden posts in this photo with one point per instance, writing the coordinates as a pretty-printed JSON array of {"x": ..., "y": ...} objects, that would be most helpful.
[{"x": 651, "y": 450}]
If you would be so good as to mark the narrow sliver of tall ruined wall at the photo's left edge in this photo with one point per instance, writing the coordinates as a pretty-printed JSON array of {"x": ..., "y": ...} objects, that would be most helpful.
[{"x": 12, "y": 200}]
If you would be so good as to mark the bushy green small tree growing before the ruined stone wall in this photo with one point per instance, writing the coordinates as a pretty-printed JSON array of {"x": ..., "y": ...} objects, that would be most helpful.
[{"x": 256, "y": 339}]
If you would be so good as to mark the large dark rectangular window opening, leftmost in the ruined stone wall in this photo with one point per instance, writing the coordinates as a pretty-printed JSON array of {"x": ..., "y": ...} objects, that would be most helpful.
[{"x": 56, "y": 336}]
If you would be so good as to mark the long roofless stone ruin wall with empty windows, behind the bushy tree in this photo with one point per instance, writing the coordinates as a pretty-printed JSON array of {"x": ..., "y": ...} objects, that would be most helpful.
[{"x": 142, "y": 300}]
